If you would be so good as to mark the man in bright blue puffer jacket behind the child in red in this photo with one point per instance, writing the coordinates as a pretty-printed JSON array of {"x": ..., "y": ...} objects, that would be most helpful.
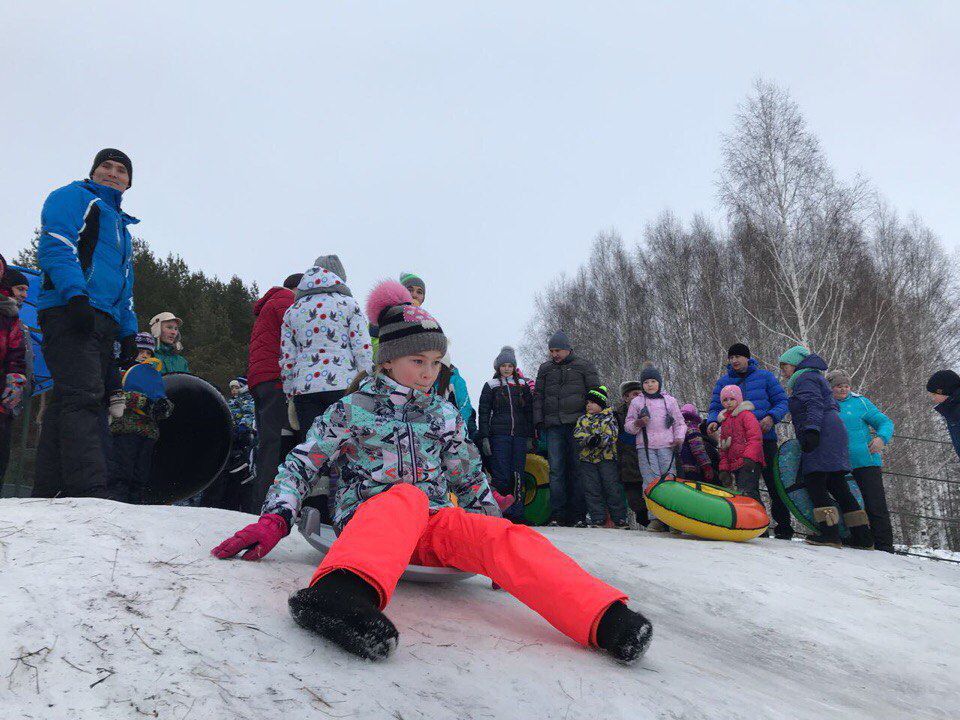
[{"x": 769, "y": 399}]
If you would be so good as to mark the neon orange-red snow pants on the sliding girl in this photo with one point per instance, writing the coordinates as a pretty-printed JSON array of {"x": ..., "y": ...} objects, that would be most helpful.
[{"x": 395, "y": 528}]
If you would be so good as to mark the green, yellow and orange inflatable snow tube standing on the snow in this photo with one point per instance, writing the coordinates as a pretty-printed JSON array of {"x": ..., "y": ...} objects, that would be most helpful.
[{"x": 705, "y": 510}]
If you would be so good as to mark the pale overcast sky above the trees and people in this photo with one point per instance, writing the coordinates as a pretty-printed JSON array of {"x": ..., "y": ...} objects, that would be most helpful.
[{"x": 481, "y": 145}]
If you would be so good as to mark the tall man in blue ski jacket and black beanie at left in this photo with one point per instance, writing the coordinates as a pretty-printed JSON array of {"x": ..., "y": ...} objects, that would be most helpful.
[{"x": 86, "y": 303}]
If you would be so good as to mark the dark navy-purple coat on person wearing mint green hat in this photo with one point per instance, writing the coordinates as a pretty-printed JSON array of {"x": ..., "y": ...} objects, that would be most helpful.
[{"x": 813, "y": 407}]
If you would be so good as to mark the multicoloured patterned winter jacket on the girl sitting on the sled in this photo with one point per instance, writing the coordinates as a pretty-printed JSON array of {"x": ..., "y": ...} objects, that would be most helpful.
[{"x": 379, "y": 436}]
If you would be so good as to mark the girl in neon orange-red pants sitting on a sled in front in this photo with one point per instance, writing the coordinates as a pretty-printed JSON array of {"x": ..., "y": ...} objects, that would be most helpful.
[{"x": 400, "y": 451}]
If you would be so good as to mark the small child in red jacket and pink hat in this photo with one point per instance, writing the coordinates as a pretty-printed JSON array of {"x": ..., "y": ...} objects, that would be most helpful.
[{"x": 741, "y": 443}]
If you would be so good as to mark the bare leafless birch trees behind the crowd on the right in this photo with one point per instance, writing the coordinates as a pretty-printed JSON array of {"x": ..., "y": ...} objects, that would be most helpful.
[{"x": 800, "y": 257}]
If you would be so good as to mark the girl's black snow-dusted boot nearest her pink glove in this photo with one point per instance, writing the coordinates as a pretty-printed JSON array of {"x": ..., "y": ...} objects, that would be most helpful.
[{"x": 345, "y": 609}]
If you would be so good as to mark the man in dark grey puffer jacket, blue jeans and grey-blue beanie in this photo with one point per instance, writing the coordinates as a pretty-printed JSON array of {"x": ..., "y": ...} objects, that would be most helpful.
[{"x": 562, "y": 383}]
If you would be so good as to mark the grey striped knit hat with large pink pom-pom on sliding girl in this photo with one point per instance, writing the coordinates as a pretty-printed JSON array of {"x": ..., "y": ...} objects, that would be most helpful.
[{"x": 405, "y": 329}]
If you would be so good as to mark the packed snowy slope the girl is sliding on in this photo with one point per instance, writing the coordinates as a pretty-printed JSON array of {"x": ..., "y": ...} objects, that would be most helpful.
[{"x": 113, "y": 611}]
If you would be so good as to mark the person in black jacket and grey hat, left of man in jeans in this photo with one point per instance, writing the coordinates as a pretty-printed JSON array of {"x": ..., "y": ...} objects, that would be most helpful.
[{"x": 505, "y": 427}]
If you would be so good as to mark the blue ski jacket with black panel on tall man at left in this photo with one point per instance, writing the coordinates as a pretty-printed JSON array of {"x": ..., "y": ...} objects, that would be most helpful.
[{"x": 85, "y": 249}]
